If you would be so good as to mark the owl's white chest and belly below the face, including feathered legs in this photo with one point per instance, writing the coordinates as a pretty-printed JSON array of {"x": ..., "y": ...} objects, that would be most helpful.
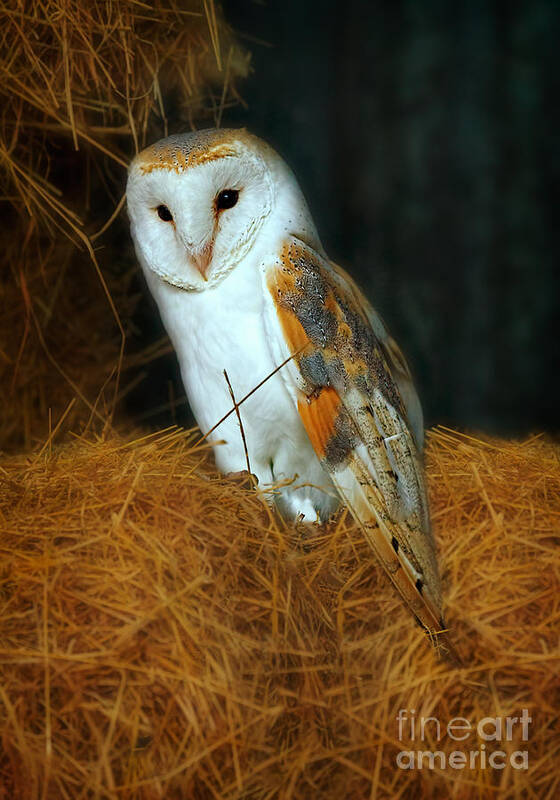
[{"x": 223, "y": 328}]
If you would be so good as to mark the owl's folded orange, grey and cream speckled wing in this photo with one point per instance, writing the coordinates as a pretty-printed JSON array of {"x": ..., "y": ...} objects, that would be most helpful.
[{"x": 356, "y": 400}]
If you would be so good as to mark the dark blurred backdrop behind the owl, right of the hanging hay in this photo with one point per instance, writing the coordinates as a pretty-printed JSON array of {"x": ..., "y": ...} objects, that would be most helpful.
[{"x": 425, "y": 138}]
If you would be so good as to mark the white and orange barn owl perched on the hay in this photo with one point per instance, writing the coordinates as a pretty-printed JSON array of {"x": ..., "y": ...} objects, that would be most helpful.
[{"x": 232, "y": 257}]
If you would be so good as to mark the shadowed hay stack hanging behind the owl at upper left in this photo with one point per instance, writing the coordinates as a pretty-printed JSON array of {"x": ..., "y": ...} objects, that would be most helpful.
[{"x": 84, "y": 84}]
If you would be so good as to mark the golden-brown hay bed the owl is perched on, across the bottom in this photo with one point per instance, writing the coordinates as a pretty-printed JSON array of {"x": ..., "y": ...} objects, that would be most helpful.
[{"x": 163, "y": 634}]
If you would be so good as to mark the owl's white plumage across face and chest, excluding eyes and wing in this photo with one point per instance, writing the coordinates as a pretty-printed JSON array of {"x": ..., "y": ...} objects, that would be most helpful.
[{"x": 220, "y": 324}]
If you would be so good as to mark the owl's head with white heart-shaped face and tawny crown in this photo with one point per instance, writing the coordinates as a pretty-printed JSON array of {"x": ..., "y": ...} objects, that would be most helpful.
[{"x": 200, "y": 203}]
